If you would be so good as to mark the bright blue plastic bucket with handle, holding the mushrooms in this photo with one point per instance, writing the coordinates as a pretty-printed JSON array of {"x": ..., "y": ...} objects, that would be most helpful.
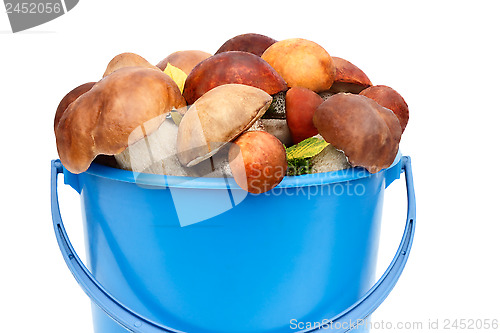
[{"x": 169, "y": 254}]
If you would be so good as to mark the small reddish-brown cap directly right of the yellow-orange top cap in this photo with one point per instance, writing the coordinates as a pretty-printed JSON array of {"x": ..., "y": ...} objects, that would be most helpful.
[{"x": 348, "y": 77}]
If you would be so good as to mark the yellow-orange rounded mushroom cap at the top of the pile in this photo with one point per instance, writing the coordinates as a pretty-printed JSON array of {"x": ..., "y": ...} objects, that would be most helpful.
[{"x": 302, "y": 63}]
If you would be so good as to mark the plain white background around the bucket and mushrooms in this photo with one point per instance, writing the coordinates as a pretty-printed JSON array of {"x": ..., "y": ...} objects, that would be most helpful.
[{"x": 441, "y": 56}]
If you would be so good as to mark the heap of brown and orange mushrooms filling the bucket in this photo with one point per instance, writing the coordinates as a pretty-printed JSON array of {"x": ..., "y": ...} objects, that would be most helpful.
[{"x": 231, "y": 114}]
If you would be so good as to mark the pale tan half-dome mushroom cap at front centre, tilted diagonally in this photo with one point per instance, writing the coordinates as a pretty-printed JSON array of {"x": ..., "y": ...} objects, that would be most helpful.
[{"x": 217, "y": 118}]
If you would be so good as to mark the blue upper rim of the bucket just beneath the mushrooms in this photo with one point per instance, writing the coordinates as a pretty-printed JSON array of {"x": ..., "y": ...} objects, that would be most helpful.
[{"x": 154, "y": 180}]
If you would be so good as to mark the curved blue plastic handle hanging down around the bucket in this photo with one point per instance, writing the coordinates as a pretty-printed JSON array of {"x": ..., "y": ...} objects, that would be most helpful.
[{"x": 134, "y": 322}]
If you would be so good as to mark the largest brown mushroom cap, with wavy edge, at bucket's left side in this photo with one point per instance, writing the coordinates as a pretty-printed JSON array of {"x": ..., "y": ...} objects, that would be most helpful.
[{"x": 102, "y": 120}]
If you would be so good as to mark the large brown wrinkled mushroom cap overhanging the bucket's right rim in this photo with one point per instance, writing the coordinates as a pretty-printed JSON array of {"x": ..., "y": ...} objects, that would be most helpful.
[{"x": 366, "y": 132}]
